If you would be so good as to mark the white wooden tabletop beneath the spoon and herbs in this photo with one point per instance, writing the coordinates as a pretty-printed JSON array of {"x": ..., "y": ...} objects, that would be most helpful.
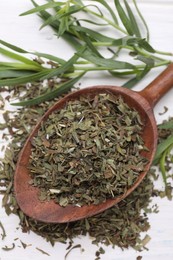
[{"x": 23, "y": 32}]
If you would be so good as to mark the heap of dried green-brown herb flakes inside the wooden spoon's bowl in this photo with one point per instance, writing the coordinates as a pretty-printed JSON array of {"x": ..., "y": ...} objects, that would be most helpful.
[{"x": 88, "y": 151}]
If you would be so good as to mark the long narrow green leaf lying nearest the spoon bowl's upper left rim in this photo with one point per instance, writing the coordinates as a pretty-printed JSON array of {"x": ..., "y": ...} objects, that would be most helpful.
[{"x": 62, "y": 88}]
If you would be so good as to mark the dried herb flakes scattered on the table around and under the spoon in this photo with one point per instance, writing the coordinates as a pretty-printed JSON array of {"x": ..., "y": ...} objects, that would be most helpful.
[{"x": 119, "y": 226}]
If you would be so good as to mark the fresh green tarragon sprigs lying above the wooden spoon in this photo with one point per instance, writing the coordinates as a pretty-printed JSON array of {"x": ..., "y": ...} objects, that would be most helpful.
[{"x": 82, "y": 24}]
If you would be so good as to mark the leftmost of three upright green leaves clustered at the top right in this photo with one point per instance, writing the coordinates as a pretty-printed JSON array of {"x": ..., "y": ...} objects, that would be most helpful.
[{"x": 124, "y": 18}]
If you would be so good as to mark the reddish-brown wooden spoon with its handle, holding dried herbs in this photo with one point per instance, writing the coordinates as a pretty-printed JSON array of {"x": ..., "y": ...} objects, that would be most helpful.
[{"x": 49, "y": 211}]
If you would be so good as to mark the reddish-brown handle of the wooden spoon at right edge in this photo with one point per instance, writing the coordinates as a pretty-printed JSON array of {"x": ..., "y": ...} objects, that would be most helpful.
[{"x": 159, "y": 86}]
